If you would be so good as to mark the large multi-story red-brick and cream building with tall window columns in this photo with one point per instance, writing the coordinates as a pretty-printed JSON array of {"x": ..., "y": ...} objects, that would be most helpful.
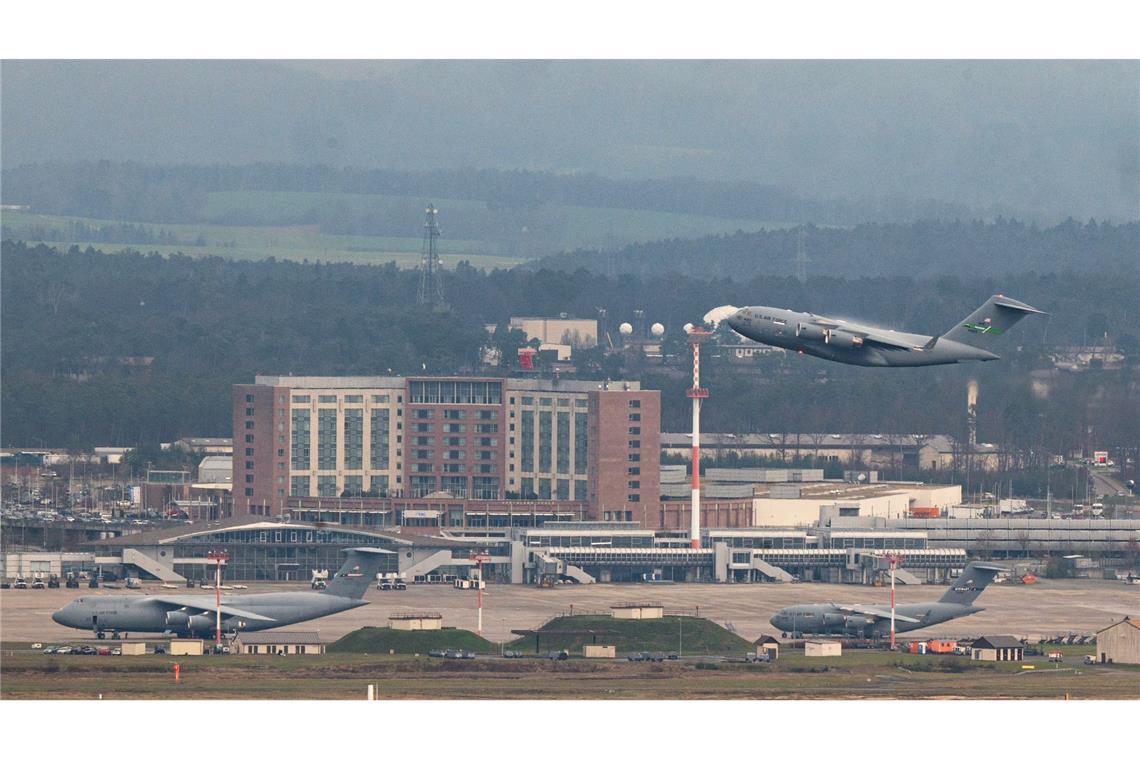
[{"x": 473, "y": 439}]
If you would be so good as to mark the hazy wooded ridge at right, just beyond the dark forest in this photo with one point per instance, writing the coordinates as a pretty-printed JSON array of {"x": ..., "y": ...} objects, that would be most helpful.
[{"x": 925, "y": 249}]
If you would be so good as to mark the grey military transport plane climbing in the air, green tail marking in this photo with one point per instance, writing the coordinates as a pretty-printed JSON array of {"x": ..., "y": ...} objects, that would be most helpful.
[{"x": 853, "y": 344}]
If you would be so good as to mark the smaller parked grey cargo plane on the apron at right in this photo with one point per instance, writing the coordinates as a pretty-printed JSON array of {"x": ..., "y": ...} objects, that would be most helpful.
[{"x": 872, "y": 622}]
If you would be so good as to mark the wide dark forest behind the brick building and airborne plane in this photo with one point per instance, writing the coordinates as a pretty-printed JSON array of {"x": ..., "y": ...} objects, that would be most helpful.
[{"x": 134, "y": 348}]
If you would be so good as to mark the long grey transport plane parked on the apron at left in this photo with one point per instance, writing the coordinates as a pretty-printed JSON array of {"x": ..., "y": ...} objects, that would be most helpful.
[{"x": 196, "y": 616}]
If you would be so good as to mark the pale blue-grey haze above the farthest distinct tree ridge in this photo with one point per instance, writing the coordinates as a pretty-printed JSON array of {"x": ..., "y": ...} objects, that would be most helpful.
[{"x": 1045, "y": 138}]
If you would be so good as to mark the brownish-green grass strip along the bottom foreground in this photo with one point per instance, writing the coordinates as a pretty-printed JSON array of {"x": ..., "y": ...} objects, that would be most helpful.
[{"x": 857, "y": 675}]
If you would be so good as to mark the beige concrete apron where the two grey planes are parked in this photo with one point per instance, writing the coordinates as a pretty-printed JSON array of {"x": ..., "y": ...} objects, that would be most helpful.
[{"x": 1048, "y": 608}]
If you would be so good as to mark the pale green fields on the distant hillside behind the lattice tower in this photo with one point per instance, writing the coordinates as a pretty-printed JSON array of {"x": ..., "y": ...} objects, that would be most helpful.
[{"x": 287, "y": 228}]
